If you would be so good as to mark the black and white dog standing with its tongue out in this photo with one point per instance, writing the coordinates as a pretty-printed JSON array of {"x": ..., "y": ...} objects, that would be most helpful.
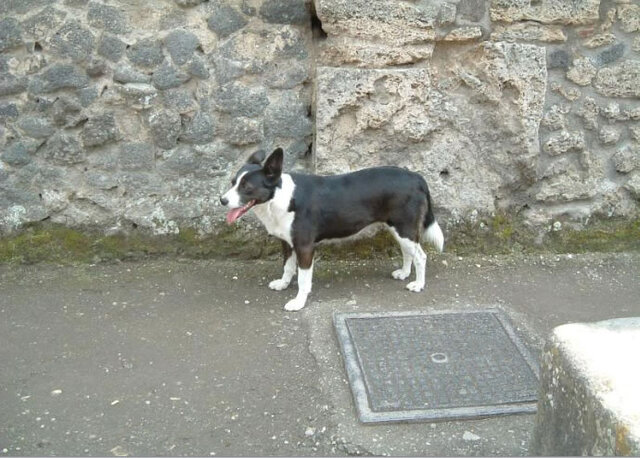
[{"x": 303, "y": 210}]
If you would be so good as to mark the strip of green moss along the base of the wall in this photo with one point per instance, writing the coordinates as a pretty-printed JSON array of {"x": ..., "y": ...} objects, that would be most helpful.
[{"x": 500, "y": 234}]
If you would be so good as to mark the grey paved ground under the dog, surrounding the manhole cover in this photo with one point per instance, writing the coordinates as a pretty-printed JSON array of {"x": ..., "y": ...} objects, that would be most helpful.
[{"x": 184, "y": 357}]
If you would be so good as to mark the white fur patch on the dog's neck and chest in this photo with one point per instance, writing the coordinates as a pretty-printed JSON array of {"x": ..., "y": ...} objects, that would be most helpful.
[{"x": 275, "y": 215}]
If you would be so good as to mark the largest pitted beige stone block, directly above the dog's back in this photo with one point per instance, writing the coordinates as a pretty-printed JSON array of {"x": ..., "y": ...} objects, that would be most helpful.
[{"x": 445, "y": 129}]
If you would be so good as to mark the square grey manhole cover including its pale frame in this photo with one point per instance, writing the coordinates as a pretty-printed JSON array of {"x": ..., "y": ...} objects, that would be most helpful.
[{"x": 412, "y": 366}]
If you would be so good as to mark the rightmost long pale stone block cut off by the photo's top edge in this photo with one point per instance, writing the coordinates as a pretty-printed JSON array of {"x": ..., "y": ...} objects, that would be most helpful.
[{"x": 546, "y": 11}]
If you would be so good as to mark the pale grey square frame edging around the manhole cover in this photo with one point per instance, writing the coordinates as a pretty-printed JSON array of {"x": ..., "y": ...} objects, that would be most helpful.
[{"x": 359, "y": 389}]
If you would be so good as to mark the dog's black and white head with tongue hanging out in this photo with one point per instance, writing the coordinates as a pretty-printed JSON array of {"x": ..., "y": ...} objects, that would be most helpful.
[{"x": 254, "y": 183}]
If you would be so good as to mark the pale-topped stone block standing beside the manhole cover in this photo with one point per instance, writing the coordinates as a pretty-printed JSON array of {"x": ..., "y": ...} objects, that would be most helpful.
[{"x": 587, "y": 403}]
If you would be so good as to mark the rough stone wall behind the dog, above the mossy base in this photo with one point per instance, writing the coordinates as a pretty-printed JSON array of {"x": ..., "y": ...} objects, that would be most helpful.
[{"x": 125, "y": 114}]
